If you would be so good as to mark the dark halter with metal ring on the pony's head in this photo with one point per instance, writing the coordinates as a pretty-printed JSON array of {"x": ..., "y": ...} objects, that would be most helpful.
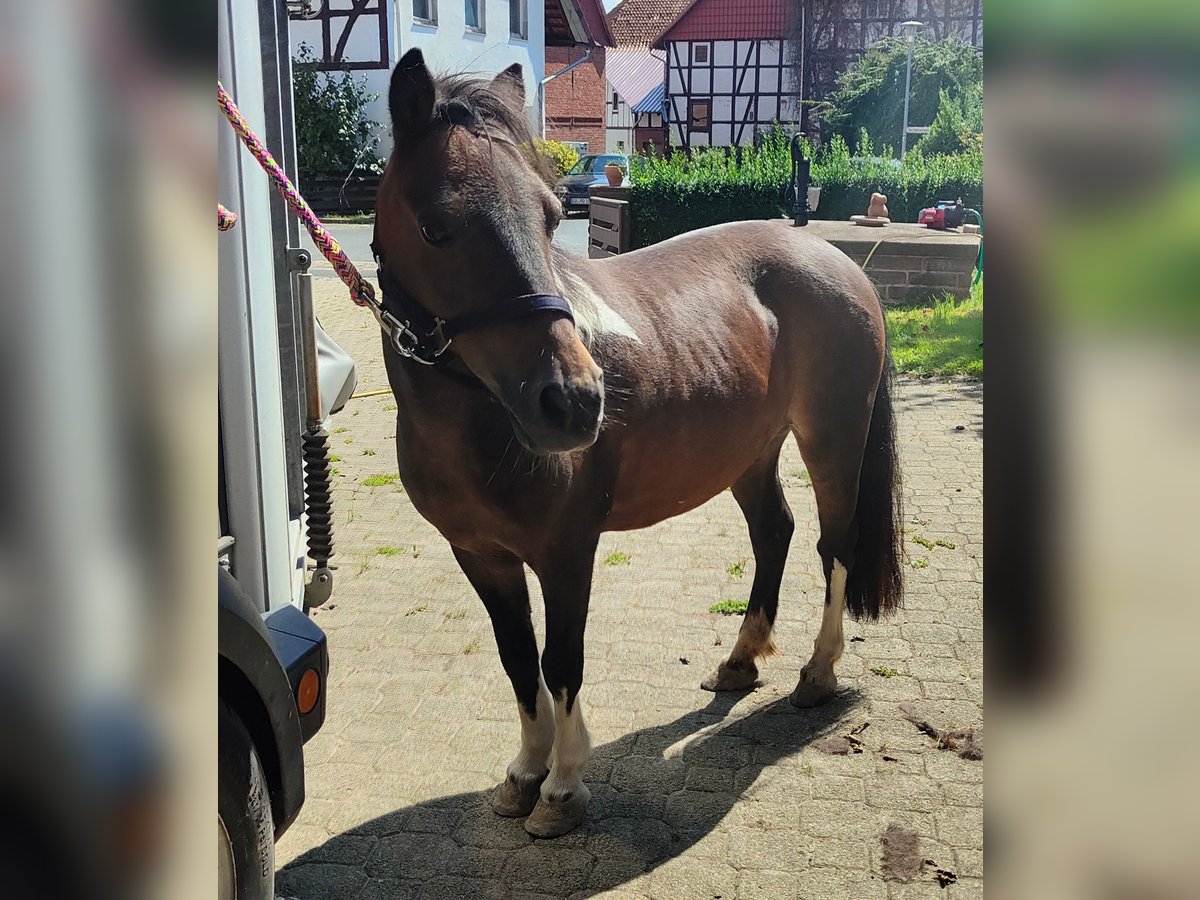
[{"x": 419, "y": 335}]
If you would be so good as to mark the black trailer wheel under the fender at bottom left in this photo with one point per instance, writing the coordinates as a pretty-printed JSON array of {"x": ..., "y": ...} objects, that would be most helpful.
[{"x": 245, "y": 827}]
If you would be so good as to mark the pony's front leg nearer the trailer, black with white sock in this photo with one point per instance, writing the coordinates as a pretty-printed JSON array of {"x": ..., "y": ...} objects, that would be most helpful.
[{"x": 501, "y": 584}]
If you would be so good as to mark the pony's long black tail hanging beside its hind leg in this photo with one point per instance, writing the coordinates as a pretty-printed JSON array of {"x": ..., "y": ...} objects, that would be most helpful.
[{"x": 875, "y": 583}]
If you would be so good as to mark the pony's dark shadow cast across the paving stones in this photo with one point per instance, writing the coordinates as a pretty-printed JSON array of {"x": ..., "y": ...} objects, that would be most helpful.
[{"x": 655, "y": 795}]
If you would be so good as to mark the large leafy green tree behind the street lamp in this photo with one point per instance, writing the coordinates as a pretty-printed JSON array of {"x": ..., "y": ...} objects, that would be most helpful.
[{"x": 871, "y": 93}]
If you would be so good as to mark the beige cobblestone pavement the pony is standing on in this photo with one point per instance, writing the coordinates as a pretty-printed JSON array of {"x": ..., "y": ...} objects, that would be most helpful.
[{"x": 694, "y": 795}]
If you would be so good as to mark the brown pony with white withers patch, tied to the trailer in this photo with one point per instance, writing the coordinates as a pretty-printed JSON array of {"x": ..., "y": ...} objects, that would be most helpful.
[{"x": 545, "y": 399}]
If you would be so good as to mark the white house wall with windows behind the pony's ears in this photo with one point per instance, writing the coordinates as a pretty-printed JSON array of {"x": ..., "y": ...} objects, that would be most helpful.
[{"x": 448, "y": 47}]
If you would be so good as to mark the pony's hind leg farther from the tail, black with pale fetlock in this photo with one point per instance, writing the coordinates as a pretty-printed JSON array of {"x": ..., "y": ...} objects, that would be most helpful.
[{"x": 761, "y": 499}]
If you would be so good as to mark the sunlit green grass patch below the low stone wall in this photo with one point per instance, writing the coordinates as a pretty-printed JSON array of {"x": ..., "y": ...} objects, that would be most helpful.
[{"x": 946, "y": 340}]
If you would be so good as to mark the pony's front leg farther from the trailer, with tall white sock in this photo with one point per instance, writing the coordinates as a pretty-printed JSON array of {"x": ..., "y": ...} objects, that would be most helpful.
[{"x": 566, "y": 584}]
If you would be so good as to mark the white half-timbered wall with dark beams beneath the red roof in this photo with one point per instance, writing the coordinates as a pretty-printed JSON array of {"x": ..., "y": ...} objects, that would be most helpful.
[{"x": 748, "y": 85}]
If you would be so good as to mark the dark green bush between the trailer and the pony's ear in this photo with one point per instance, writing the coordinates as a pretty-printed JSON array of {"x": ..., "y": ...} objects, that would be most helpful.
[{"x": 334, "y": 136}]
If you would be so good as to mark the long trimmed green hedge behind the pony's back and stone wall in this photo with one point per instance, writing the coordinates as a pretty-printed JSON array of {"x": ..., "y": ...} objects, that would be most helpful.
[{"x": 682, "y": 193}]
